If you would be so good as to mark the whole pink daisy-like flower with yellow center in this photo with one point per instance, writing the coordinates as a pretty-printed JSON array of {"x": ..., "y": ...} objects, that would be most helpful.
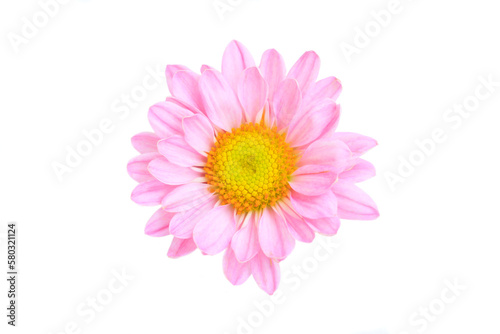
[{"x": 247, "y": 161}]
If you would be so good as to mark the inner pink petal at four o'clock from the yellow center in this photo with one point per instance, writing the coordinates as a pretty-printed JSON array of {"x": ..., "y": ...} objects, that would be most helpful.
[{"x": 314, "y": 207}]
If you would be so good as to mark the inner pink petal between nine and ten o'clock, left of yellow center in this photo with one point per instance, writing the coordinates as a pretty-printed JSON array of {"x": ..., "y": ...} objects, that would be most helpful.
[{"x": 178, "y": 151}]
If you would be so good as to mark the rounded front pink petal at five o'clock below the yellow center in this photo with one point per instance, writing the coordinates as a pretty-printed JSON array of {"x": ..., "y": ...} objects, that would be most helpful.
[{"x": 275, "y": 240}]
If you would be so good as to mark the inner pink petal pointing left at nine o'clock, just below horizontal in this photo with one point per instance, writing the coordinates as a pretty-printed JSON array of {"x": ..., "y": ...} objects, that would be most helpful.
[{"x": 170, "y": 173}]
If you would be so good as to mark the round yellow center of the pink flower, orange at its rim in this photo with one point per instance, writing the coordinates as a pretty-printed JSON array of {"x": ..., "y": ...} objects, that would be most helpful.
[{"x": 250, "y": 167}]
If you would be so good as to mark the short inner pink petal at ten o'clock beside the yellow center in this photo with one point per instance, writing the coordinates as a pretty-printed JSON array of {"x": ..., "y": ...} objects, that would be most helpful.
[{"x": 199, "y": 133}]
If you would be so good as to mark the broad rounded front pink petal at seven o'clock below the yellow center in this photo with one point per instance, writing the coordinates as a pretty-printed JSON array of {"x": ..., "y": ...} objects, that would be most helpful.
[{"x": 214, "y": 231}]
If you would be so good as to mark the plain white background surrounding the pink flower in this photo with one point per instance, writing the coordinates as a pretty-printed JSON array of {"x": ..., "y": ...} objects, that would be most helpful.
[{"x": 441, "y": 224}]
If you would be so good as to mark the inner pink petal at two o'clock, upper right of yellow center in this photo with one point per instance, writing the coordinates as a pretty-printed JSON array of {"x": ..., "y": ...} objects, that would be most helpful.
[{"x": 304, "y": 128}]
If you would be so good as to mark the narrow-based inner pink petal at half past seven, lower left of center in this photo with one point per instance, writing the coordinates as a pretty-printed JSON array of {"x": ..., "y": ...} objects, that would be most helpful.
[{"x": 182, "y": 225}]
